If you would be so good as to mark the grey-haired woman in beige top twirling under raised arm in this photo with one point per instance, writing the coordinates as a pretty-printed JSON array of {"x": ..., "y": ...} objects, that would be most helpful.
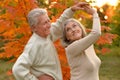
[{"x": 83, "y": 61}]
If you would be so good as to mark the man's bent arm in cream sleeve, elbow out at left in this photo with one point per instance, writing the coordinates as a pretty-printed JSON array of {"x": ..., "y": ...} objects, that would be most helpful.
[{"x": 22, "y": 67}]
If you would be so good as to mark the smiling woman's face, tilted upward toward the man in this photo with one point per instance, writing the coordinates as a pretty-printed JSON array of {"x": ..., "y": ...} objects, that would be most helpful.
[{"x": 73, "y": 31}]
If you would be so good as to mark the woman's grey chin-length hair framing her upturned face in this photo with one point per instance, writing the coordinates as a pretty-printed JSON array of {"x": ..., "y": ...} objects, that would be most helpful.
[{"x": 66, "y": 42}]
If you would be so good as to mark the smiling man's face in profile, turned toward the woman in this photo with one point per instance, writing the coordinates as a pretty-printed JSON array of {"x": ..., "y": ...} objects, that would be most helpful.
[{"x": 43, "y": 26}]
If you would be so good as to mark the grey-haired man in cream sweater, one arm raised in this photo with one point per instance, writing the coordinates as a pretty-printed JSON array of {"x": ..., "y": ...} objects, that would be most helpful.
[{"x": 39, "y": 60}]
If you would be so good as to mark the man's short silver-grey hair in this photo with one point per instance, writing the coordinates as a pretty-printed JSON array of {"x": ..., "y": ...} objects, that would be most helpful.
[{"x": 33, "y": 14}]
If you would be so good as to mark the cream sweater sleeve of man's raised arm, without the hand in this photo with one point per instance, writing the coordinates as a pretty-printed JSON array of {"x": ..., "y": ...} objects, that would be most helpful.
[{"x": 56, "y": 29}]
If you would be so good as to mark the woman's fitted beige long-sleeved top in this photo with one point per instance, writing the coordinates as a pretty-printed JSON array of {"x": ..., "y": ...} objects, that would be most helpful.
[{"x": 83, "y": 61}]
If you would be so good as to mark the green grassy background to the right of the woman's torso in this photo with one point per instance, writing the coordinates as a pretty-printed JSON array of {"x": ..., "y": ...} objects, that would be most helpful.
[{"x": 109, "y": 69}]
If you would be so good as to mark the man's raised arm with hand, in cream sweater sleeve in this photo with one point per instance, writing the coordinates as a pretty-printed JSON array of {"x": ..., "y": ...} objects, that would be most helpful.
[{"x": 56, "y": 29}]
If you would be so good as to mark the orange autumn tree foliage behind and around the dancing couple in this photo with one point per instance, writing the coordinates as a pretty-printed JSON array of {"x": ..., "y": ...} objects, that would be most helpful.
[{"x": 15, "y": 31}]
